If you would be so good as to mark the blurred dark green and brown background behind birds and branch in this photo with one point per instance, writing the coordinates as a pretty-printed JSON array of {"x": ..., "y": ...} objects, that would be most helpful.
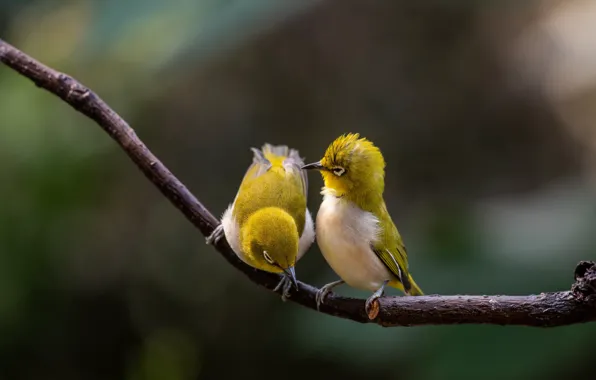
[{"x": 485, "y": 113}]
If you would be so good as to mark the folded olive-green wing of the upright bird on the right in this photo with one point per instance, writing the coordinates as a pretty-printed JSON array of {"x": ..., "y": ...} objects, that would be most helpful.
[{"x": 391, "y": 250}]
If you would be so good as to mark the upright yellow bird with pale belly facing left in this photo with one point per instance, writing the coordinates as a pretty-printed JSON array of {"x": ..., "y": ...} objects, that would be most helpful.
[{"x": 354, "y": 229}]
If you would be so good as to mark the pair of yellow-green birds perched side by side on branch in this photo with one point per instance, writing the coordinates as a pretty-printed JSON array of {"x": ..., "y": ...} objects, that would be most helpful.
[{"x": 269, "y": 227}]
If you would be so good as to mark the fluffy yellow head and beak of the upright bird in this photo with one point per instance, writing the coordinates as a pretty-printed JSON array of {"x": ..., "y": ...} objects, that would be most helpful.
[{"x": 352, "y": 166}]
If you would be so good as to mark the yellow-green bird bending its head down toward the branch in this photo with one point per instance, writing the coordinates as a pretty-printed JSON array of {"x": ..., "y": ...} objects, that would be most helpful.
[{"x": 268, "y": 225}]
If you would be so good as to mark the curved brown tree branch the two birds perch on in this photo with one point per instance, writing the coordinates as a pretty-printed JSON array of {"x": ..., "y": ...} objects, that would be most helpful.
[{"x": 544, "y": 310}]
